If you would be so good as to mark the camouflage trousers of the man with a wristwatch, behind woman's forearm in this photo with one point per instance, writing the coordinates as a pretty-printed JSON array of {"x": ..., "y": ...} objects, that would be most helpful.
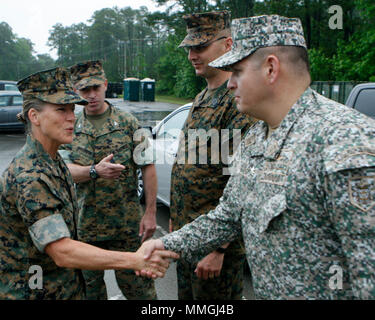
[{"x": 132, "y": 287}]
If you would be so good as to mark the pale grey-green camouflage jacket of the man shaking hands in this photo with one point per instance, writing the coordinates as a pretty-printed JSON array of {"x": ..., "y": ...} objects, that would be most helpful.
[{"x": 304, "y": 201}]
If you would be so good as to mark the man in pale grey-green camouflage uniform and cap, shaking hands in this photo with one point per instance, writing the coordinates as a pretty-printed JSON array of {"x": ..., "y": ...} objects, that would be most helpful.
[{"x": 304, "y": 192}]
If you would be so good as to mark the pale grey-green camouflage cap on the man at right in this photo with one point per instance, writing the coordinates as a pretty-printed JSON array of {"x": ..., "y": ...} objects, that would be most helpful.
[{"x": 250, "y": 34}]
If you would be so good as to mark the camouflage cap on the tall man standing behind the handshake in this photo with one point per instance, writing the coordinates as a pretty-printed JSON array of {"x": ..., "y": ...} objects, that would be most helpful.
[{"x": 203, "y": 27}]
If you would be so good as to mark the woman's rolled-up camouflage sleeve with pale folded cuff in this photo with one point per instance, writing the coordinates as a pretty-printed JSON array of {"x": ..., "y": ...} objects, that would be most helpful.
[{"x": 40, "y": 210}]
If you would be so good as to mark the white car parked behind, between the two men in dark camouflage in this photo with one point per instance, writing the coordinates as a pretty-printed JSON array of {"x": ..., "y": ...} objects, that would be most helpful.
[{"x": 165, "y": 144}]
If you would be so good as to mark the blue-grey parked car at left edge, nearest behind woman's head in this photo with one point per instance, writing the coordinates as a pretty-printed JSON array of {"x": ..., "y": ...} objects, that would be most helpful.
[{"x": 10, "y": 106}]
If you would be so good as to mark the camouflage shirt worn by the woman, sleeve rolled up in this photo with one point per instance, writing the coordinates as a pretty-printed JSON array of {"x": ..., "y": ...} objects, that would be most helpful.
[{"x": 38, "y": 204}]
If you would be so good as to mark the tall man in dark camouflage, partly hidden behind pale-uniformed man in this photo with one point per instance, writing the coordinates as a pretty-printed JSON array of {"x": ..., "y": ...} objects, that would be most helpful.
[{"x": 197, "y": 188}]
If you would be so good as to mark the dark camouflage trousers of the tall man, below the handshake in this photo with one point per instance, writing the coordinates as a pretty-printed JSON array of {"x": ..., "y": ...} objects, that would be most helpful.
[{"x": 228, "y": 286}]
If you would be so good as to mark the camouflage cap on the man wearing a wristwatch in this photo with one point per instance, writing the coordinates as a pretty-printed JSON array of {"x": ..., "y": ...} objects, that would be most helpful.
[{"x": 88, "y": 74}]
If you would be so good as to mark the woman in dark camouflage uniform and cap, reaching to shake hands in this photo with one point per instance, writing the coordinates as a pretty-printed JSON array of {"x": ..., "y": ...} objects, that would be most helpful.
[{"x": 38, "y": 204}]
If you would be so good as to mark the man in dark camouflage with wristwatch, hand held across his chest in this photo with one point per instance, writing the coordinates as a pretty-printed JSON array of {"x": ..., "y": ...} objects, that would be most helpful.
[{"x": 102, "y": 165}]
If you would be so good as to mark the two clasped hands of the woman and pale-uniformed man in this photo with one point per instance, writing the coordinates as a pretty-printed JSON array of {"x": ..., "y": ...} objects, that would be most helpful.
[{"x": 153, "y": 259}]
